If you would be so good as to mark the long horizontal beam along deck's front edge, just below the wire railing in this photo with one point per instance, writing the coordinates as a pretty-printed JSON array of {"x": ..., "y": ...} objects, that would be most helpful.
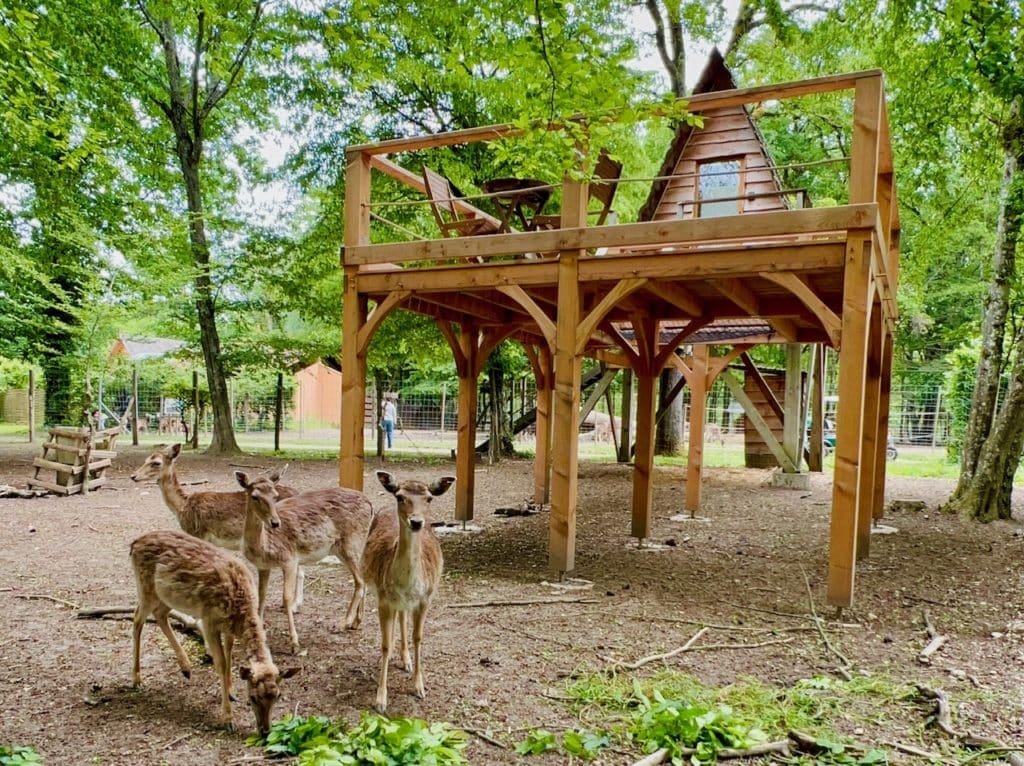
[{"x": 721, "y": 230}]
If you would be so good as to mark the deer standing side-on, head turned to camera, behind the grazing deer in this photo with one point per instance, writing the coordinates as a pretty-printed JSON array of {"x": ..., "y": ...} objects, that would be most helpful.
[{"x": 305, "y": 530}]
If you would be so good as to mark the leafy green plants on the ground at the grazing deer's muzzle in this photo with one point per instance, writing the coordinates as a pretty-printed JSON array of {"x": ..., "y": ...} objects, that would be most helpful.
[{"x": 378, "y": 741}]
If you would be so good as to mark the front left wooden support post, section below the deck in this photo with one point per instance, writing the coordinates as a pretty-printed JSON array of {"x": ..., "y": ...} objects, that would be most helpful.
[{"x": 354, "y": 385}]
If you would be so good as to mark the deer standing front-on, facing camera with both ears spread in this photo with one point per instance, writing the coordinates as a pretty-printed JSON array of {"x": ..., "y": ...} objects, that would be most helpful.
[{"x": 404, "y": 564}]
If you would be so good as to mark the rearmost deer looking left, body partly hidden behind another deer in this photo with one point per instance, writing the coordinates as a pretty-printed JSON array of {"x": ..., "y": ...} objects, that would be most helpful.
[{"x": 219, "y": 518}]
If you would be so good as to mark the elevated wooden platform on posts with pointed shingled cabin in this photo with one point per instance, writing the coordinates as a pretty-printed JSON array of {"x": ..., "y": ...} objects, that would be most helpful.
[{"x": 631, "y": 294}]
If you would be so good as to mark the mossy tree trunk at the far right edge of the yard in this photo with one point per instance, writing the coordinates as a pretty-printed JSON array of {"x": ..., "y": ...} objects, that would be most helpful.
[{"x": 994, "y": 441}]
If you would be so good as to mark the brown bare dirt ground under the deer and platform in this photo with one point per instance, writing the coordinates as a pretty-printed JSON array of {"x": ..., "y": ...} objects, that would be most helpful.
[{"x": 65, "y": 684}]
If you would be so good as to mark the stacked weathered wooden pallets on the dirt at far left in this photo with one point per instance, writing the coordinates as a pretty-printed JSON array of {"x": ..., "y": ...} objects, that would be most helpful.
[{"x": 79, "y": 457}]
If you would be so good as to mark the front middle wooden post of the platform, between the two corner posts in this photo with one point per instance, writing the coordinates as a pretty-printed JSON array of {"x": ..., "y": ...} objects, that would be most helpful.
[{"x": 566, "y": 407}]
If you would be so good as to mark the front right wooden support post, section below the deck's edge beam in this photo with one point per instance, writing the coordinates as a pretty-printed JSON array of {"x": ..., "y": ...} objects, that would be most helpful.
[{"x": 849, "y": 416}]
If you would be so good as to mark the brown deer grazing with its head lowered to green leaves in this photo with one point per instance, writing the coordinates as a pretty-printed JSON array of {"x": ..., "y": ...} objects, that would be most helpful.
[{"x": 178, "y": 572}]
